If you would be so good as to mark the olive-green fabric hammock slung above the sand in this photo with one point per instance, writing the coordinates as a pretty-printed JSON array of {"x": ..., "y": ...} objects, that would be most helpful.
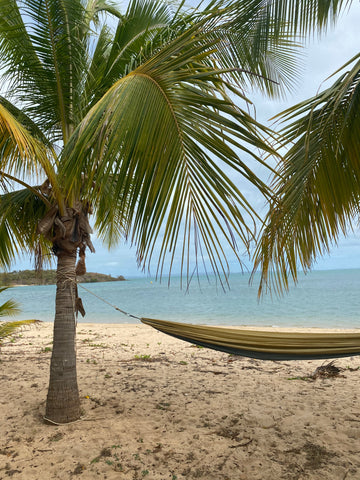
[{"x": 263, "y": 345}]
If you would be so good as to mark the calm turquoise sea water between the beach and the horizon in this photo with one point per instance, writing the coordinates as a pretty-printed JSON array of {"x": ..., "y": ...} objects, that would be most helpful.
[{"x": 321, "y": 299}]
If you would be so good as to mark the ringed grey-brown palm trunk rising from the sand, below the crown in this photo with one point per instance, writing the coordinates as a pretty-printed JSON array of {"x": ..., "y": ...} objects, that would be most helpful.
[{"x": 63, "y": 402}]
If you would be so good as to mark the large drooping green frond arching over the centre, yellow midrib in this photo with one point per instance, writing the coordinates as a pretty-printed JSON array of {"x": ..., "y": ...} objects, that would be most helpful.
[{"x": 154, "y": 137}]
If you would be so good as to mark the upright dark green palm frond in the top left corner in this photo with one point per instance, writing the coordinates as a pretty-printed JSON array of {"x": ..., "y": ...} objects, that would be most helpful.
[{"x": 52, "y": 62}]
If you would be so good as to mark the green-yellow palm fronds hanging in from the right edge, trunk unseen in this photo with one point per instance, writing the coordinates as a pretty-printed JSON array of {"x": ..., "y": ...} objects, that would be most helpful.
[{"x": 317, "y": 189}]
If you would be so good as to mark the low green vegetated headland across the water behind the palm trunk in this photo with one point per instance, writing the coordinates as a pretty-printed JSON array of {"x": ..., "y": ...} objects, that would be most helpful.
[{"x": 48, "y": 277}]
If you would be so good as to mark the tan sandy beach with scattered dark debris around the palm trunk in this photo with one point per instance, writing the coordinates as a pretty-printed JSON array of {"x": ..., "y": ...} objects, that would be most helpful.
[{"x": 161, "y": 409}]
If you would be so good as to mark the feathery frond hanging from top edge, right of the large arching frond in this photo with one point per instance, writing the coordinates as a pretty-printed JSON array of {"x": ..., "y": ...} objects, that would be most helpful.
[{"x": 248, "y": 43}]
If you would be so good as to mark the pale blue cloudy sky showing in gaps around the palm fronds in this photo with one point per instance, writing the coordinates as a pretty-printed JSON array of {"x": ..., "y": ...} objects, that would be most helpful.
[{"x": 322, "y": 57}]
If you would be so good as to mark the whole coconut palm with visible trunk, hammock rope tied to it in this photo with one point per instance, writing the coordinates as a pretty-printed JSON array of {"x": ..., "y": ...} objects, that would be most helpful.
[{"x": 135, "y": 121}]
